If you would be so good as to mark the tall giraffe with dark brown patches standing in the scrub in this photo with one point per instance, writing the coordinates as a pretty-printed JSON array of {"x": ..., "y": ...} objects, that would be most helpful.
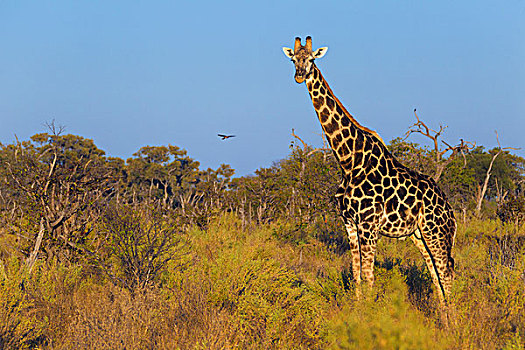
[{"x": 378, "y": 196}]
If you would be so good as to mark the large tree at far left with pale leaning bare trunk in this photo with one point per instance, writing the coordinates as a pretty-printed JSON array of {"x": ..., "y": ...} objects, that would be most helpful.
[{"x": 58, "y": 180}]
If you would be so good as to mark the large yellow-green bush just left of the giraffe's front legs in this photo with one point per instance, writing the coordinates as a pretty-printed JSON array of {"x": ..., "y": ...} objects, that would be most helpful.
[{"x": 249, "y": 278}]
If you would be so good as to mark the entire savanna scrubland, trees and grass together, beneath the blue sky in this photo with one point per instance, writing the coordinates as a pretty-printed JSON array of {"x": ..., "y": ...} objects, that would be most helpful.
[{"x": 155, "y": 253}]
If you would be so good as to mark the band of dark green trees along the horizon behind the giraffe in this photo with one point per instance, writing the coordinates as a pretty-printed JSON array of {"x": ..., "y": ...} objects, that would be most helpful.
[{"x": 62, "y": 198}]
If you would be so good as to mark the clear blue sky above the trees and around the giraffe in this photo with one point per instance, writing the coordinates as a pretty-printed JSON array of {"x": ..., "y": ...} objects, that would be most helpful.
[{"x": 133, "y": 73}]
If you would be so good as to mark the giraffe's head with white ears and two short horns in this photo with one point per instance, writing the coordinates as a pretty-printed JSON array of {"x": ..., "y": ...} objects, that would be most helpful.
[{"x": 303, "y": 58}]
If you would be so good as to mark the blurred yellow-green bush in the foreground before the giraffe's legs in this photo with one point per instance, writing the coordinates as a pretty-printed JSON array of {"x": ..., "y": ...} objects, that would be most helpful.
[{"x": 384, "y": 319}]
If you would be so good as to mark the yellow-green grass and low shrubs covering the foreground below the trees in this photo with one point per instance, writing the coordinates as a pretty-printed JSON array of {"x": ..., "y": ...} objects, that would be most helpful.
[{"x": 274, "y": 287}]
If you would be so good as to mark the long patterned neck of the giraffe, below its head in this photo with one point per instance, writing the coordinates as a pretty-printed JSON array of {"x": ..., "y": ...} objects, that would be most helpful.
[{"x": 345, "y": 135}]
